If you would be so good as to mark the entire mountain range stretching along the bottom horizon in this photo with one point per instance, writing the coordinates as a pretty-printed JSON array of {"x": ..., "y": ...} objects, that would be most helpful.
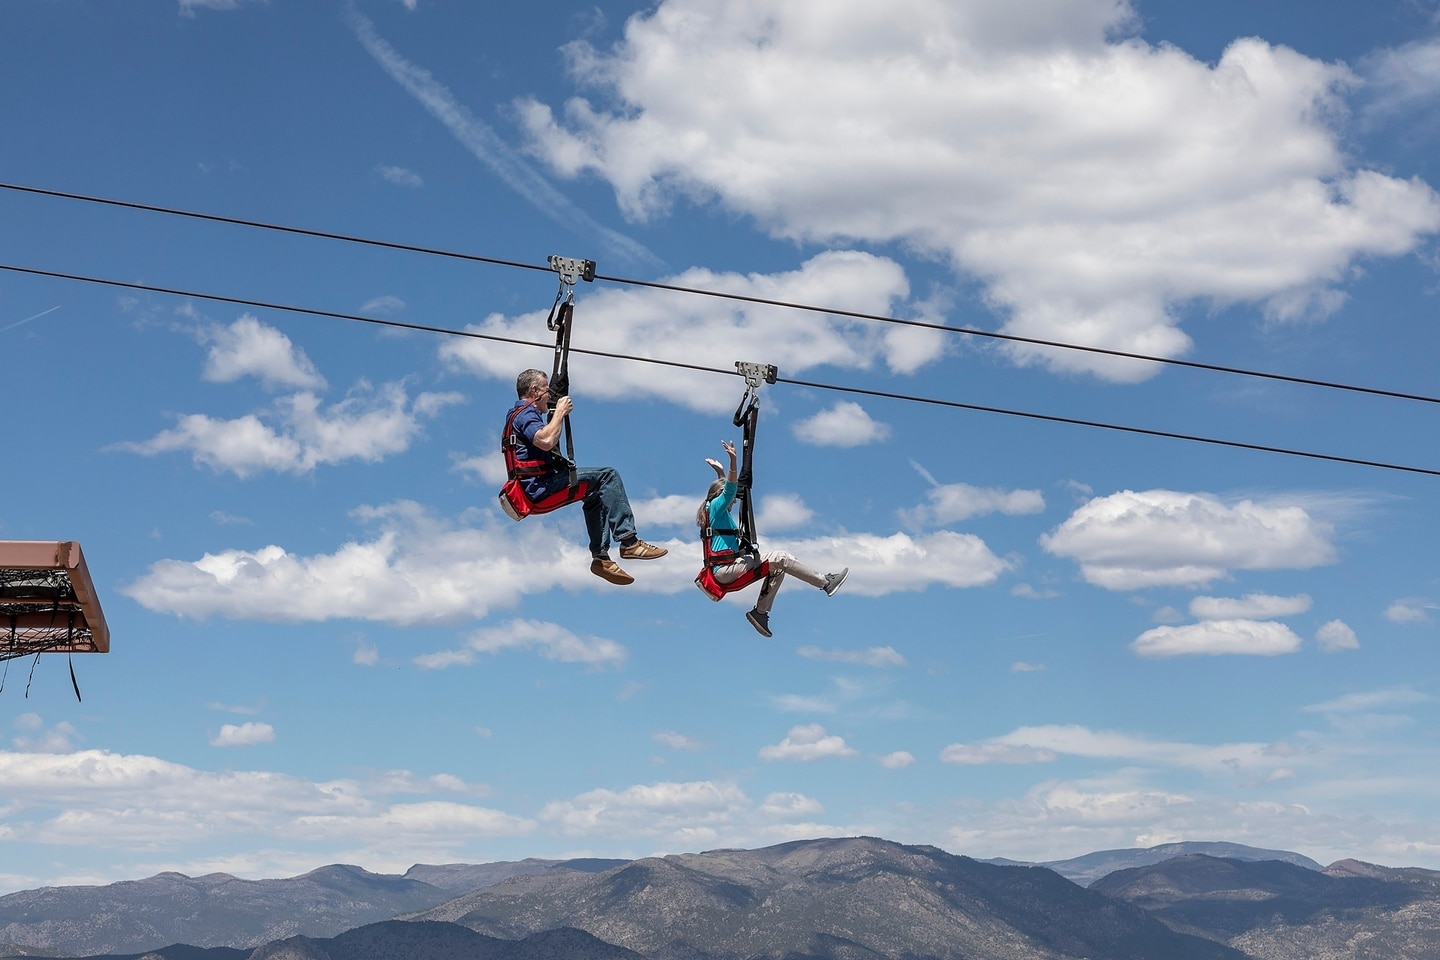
[{"x": 855, "y": 899}]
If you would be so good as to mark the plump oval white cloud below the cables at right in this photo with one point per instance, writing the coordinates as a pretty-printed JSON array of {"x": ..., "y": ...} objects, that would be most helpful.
[{"x": 1134, "y": 540}]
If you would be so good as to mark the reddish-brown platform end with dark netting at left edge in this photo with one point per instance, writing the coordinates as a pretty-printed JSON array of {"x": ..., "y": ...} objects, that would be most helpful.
[{"x": 48, "y": 601}]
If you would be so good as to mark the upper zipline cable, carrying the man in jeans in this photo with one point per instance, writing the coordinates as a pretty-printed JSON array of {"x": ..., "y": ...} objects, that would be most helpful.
[{"x": 764, "y": 302}]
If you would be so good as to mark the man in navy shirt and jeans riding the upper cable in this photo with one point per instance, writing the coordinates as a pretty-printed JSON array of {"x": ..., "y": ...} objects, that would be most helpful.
[{"x": 544, "y": 473}]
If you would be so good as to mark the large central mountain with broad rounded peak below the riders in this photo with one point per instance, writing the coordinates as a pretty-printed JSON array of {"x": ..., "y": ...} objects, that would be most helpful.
[{"x": 856, "y": 899}]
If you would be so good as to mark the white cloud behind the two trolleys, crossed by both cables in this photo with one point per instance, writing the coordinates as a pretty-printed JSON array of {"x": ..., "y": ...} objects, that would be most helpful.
[{"x": 670, "y": 326}]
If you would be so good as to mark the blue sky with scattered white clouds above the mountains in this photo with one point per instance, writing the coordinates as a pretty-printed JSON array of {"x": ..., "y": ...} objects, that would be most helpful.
[{"x": 330, "y": 646}]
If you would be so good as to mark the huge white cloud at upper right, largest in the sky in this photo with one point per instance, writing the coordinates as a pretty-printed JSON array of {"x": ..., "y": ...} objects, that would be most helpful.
[{"x": 1092, "y": 182}]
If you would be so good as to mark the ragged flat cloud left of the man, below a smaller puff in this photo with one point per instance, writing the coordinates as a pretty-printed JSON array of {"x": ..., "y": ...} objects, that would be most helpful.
[{"x": 369, "y": 425}]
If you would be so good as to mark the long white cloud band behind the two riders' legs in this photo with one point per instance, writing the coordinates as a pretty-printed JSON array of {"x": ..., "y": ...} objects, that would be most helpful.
[{"x": 420, "y": 569}]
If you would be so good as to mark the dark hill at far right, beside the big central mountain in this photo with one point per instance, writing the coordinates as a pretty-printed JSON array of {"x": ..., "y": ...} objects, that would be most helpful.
[{"x": 1277, "y": 910}]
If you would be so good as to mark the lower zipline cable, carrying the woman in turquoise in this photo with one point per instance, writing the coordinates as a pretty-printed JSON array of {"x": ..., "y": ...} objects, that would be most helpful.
[{"x": 705, "y": 369}]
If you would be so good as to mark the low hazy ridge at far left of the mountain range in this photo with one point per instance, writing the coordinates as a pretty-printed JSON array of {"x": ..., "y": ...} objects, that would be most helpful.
[{"x": 220, "y": 910}]
